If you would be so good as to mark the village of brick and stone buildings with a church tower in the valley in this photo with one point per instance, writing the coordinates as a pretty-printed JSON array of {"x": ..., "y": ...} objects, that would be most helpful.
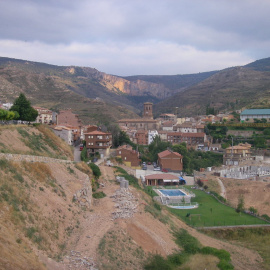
[{"x": 240, "y": 161}]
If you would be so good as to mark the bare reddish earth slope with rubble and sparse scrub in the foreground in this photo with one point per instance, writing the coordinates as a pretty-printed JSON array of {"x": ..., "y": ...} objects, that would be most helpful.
[{"x": 43, "y": 227}]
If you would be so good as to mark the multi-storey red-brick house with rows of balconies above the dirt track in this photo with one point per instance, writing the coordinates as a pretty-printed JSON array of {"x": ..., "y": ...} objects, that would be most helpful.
[{"x": 98, "y": 141}]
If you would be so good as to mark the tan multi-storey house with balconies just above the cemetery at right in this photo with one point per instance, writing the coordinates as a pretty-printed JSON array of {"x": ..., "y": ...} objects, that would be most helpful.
[{"x": 236, "y": 155}]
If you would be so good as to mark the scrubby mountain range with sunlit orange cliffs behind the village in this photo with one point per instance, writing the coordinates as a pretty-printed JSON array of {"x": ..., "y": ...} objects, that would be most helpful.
[{"x": 99, "y": 97}]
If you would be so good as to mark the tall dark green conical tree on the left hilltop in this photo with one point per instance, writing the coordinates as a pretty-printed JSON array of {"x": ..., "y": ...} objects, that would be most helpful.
[{"x": 23, "y": 107}]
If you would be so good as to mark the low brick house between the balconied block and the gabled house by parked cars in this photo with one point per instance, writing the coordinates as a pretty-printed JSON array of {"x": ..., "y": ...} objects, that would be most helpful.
[{"x": 129, "y": 156}]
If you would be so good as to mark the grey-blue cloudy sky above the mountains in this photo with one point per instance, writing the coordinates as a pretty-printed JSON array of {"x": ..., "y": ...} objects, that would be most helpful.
[{"x": 132, "y": 37}]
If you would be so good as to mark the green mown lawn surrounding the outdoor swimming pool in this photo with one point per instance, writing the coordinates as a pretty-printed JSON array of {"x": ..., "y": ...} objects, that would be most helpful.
[{"x": 212, "y": 213}]
